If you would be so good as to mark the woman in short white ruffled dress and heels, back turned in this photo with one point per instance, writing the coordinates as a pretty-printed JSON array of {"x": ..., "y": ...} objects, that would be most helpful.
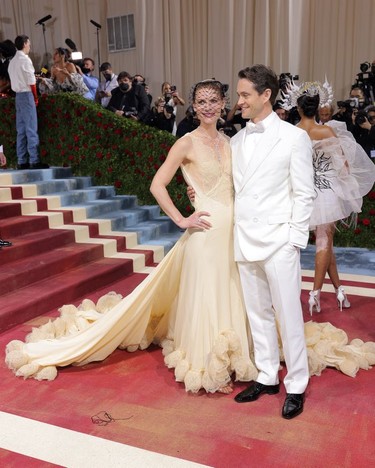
[{"x": 343, "y": 174}]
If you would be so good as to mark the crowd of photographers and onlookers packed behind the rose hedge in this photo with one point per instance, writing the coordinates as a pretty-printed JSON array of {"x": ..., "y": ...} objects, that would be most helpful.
[{"x": 78, "y": 76}]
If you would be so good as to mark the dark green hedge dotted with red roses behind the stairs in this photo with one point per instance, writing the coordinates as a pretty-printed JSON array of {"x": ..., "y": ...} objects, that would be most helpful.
[{"x": 120, "y": 152}]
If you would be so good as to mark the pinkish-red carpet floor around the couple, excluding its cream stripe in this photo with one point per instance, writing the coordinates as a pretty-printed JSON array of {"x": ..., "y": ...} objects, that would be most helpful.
[{"x": 140, "y": 404}]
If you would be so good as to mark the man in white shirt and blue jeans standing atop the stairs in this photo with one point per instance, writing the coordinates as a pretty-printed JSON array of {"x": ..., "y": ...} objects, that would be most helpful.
[{"x": 23, "y": 82}]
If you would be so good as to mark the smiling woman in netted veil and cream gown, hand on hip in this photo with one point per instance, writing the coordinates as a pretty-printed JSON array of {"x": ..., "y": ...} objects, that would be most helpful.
[{"x": 191, "y": 304}]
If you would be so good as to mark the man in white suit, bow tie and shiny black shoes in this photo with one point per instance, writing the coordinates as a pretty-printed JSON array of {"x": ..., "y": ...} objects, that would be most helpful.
[{"x": 273, "y": 180}]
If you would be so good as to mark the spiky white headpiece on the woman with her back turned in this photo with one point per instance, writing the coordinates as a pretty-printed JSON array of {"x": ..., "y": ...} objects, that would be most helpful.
[{"x": 311, "y": 88}]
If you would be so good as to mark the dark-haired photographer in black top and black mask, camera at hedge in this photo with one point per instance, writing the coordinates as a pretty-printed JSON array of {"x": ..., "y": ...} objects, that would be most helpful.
[{"x": 128, "y": 100}]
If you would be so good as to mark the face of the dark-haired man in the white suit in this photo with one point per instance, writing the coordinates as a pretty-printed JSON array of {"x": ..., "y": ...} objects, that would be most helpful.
[{"x": 253, "y": 105}]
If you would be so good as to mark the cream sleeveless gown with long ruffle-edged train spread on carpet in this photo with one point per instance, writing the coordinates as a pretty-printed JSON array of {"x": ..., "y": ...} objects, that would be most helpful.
[{"x": 191, "y": 305}]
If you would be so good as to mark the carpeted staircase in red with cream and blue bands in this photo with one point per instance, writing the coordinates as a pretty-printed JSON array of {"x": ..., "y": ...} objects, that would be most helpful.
[{"x": 71, "y": 240}]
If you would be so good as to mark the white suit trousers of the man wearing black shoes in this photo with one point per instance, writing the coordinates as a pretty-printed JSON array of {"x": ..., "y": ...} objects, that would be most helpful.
[{"x": 269, "y": 286}]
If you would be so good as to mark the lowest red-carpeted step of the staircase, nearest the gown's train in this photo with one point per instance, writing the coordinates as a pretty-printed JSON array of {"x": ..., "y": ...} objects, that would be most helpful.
[{"x": 51, "y": 293}]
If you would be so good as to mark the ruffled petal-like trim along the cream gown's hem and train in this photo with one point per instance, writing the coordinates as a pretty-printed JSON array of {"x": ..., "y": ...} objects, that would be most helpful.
[{"x": 327, "y": 346}]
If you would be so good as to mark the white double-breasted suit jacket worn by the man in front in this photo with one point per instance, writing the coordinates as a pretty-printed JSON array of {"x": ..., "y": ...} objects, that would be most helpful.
[{"x": 274, "y": 194}]
